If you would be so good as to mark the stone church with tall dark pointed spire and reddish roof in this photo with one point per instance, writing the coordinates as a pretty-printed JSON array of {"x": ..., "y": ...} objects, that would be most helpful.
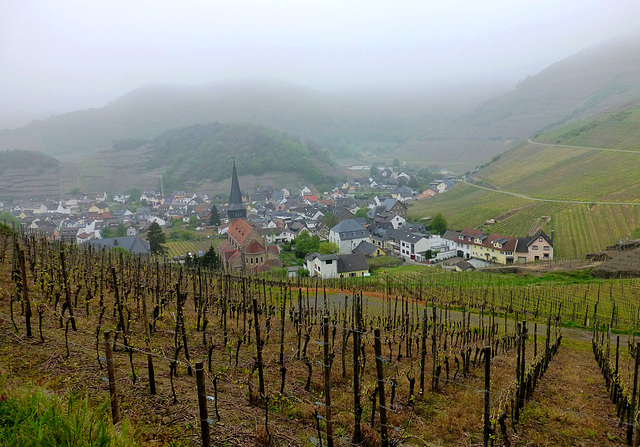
[{"x": 245, "y": 250}]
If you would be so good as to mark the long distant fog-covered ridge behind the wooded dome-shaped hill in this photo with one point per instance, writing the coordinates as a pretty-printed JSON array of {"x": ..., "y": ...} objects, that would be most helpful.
[{"x": 342, "y": 122}]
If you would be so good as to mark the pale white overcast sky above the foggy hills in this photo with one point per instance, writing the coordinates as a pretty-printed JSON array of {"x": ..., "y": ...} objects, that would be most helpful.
[{"x": 63, "y": 55}]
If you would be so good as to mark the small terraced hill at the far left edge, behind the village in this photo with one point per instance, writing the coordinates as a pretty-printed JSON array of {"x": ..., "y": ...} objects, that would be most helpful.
[{"x": 27, "y": 173}]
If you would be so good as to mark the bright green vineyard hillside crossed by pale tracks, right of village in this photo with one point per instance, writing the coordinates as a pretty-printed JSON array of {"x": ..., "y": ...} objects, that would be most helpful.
[{"x": 588, "y": 195}]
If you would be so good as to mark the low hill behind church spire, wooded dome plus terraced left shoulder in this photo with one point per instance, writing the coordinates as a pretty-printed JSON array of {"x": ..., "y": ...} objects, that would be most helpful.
[{"x": 200, "y": 156}]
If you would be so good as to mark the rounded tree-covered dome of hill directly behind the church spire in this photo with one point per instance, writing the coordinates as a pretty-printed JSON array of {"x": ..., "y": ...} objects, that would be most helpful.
[{"x": 205, "y": 152}]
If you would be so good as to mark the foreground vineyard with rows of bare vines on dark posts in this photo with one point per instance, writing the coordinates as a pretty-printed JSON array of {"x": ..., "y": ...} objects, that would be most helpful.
[{"x": 297, "y": 364}]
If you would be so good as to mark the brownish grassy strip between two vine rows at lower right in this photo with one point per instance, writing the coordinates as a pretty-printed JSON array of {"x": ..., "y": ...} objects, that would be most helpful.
[{"x": 587, "y": 418}]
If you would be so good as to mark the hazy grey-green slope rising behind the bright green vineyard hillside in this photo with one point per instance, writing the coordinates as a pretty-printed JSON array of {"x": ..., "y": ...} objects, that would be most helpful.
[{"x": 579, "y": 87}]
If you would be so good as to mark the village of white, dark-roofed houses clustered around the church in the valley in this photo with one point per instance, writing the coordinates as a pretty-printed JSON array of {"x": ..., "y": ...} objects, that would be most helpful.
[{"x": 259, "y": 230}]
